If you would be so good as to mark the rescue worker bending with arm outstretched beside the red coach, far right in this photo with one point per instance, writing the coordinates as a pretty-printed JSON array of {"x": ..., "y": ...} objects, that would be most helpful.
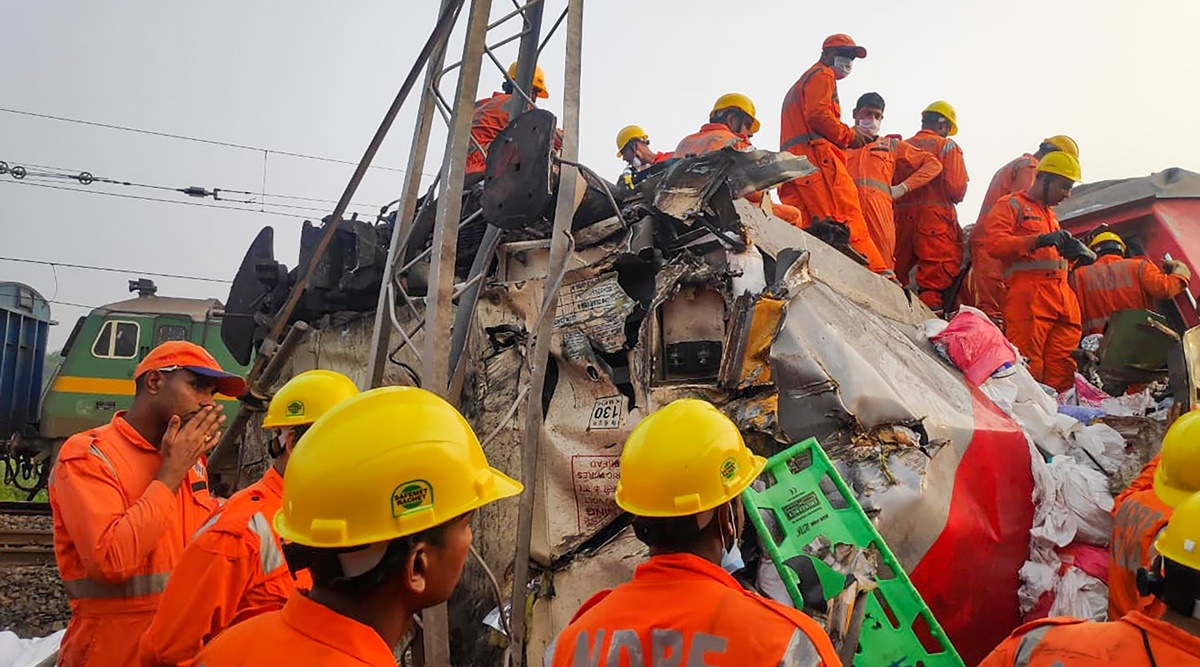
[{"x": 1118, "y": 284}]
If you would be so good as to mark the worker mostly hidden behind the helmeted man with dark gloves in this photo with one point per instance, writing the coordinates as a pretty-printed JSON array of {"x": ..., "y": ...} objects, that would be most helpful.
[{"x": 985, "y": 285}]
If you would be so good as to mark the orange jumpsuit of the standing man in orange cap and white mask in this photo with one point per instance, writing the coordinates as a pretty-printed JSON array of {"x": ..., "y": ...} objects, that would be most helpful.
[{"x": 812, "y": 127}]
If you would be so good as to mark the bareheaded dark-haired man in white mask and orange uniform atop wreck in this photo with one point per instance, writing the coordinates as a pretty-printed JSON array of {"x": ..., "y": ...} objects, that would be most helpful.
[{"x": 873, "y": 169}]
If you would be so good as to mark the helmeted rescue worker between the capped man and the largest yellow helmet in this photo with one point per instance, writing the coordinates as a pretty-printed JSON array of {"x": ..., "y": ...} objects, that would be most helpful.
[{"x": 235, "y": 566}]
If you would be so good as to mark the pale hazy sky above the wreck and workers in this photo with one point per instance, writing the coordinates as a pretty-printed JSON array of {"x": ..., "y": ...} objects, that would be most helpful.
[{"x": 316, "y": 79}]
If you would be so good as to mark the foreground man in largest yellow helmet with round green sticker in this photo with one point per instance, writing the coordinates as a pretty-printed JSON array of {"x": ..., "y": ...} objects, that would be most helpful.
[{"x": 377, "y": 506}]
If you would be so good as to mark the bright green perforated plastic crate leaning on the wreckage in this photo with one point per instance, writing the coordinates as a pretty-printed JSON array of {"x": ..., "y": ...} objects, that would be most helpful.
[{"x": 809, "y": 500}]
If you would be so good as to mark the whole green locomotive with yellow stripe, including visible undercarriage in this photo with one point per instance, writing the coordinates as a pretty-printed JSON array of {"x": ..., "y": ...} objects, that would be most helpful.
[{"x": 95, "y": 378}]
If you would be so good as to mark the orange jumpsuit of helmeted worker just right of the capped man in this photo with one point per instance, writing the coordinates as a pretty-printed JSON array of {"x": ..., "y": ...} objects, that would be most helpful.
[{"x": 233, "y": 569}]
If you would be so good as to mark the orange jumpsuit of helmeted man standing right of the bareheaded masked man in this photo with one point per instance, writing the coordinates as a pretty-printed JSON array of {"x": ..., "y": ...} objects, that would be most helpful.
[{"x": 928, "y": 233}]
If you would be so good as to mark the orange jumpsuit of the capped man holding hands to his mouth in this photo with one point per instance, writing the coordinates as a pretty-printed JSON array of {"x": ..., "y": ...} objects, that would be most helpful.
[{"x": 118, "y": 536}]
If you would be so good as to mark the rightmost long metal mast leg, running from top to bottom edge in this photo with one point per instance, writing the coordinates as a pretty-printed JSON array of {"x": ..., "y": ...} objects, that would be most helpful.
[{"x": 559, "y": 257}]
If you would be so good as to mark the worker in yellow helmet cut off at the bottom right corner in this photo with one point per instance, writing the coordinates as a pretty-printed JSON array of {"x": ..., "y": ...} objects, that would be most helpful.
[{"x": 1137, "y": 639}]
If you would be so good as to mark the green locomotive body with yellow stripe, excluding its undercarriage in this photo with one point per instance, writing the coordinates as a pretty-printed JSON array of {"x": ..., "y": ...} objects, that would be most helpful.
[{"x": 91, "y": 388}]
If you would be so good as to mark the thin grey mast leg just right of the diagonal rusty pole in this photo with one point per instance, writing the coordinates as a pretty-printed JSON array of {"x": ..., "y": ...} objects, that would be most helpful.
[{"x": 381, "y": 335}]
